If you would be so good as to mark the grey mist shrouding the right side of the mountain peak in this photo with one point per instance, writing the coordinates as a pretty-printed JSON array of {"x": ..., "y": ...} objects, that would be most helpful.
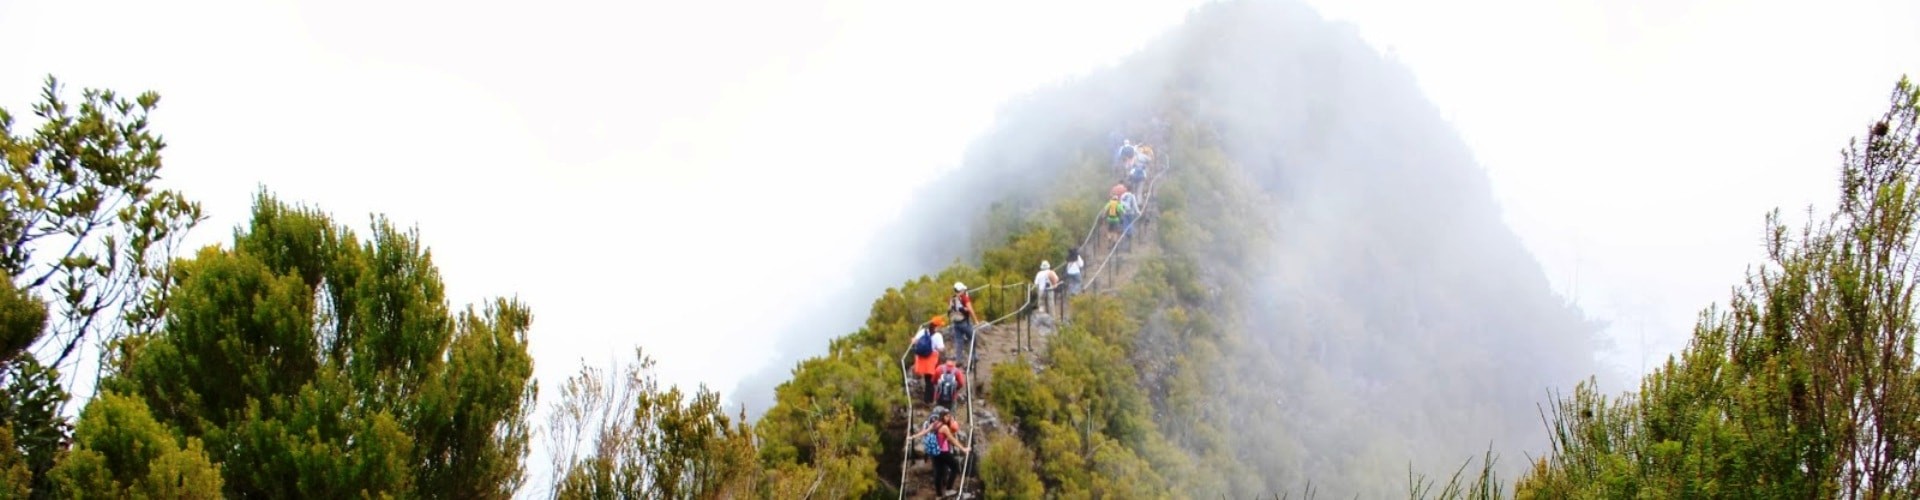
[{"x": 1412, "y": 328}]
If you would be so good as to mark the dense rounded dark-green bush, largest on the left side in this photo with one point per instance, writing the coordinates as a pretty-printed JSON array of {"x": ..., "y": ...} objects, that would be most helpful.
[{"x": 320, "y": 366}]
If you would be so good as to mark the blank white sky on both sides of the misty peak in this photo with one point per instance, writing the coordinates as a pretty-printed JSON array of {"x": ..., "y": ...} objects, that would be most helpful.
[{"x": 619, "y": 164}]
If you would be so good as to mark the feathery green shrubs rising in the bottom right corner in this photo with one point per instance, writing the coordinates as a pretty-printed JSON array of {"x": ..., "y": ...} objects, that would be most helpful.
[{"x": 1806, "y": 386}]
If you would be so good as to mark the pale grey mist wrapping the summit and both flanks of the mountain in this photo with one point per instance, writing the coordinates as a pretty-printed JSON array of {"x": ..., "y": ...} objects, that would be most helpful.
[{"x": 1376, "y": 314}]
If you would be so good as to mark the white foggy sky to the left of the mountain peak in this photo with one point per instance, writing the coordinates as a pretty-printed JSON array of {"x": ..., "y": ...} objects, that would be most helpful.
[{"x": 698, "y": 180}]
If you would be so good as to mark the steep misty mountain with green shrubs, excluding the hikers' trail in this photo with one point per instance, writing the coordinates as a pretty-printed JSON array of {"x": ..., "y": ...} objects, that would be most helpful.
[{"x": 1326, "y": 297}]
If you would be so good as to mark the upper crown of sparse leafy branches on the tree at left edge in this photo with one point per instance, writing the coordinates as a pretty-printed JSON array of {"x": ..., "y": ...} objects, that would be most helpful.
[{"x": 82, "y": 218}]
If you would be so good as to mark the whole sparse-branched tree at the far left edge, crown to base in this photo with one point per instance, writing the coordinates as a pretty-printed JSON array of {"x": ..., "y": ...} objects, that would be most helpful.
[{"x": 85, "y": 232}]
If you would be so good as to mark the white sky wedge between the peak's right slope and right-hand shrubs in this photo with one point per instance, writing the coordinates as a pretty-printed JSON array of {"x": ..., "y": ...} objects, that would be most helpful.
[{"x": 1637, "y": 145}]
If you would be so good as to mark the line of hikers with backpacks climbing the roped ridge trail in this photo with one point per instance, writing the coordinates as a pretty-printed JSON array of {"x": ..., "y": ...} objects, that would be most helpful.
[{"x": 938, "y": 364}]
